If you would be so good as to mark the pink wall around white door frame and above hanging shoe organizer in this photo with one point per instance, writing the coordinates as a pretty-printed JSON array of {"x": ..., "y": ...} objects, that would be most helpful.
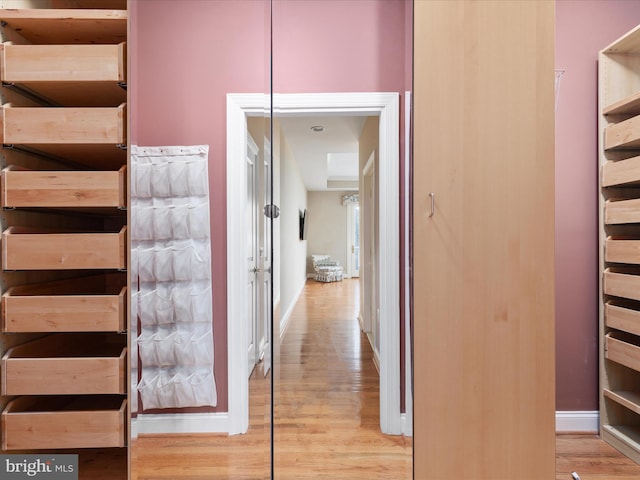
[{"x": 187, "y": 55}]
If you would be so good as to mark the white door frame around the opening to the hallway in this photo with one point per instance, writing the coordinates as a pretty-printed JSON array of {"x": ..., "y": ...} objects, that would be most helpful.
[{"x": 384, "y": 105}]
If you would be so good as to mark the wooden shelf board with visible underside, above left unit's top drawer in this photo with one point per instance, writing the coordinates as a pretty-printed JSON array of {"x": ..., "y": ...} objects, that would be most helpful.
[{"x": 68, "y": 26}]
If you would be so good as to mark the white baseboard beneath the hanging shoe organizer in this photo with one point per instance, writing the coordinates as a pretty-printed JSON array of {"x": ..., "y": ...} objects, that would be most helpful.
[{"x": 180, "y": 423}]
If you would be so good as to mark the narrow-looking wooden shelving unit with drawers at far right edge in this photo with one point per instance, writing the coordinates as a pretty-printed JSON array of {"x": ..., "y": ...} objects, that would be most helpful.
[{"x": 619, "y": 125}]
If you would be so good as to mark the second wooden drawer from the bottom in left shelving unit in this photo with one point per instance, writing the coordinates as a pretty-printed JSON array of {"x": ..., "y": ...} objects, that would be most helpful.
[{"x": 65, "y": 364}]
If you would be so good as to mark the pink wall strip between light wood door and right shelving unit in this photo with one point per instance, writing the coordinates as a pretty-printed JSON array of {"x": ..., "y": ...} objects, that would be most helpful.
[{"x": 583, "y": 28}]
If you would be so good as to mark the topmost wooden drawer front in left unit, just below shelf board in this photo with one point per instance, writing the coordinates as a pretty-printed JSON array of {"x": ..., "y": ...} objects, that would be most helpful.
[{"x": 63, "y": 63}]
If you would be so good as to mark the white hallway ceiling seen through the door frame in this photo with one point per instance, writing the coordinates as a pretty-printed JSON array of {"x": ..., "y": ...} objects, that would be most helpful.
[{"x": 328, "y": 160}]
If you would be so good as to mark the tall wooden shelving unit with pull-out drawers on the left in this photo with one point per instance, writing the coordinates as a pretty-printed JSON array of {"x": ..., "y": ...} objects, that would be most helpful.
[{"x": 64, "y": 373}]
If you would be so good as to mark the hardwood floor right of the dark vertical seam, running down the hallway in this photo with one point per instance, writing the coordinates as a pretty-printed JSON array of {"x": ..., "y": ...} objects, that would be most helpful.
[{"x": 327, "y": 394}]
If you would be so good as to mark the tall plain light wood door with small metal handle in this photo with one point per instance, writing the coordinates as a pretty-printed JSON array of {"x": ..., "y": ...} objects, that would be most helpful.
[{"x": 484, "y": 262}]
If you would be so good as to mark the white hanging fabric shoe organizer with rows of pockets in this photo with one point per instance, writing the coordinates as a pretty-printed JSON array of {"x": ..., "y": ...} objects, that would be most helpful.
[{"x": 171, "y": 276}]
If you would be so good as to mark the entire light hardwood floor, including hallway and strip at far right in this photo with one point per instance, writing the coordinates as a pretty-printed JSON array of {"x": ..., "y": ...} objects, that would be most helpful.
[{"x": 326, "y": 415}]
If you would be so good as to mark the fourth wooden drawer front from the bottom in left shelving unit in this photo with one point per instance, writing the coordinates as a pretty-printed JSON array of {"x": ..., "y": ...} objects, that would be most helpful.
[{"x": 24, "y": 249}]
